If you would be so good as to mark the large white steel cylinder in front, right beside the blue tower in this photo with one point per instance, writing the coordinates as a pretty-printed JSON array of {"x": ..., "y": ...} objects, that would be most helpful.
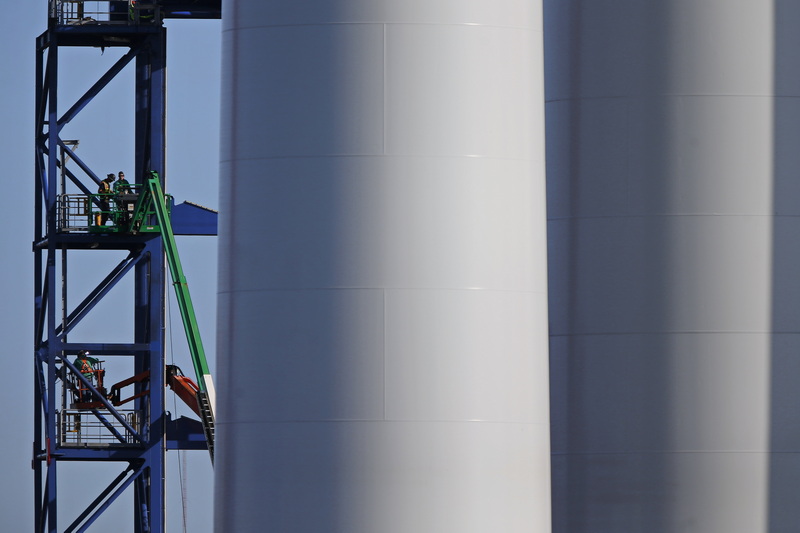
[{"x": 383, "y": 326}]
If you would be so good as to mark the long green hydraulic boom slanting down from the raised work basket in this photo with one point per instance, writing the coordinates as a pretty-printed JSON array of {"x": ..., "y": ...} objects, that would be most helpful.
[{"x": 153, "y": 195}]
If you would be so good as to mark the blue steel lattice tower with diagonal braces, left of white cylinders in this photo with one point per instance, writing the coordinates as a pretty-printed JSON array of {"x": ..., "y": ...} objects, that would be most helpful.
[{"x": 134, "y": 432}]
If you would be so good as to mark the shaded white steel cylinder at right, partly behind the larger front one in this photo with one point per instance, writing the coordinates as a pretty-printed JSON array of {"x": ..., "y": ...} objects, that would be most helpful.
[{"x": 673, "y": 135}]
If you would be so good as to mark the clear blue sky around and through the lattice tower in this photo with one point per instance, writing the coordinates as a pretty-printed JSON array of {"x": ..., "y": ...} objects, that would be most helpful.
[{"x": 105, "y": 132}]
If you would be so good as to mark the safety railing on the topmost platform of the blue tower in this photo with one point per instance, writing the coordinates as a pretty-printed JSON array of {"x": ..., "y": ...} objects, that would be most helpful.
[{"x": 121, "y": 12}]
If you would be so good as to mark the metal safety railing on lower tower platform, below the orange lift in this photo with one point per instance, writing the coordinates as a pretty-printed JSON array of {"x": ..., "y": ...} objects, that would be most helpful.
[{"x": 97, "y": 428}]
